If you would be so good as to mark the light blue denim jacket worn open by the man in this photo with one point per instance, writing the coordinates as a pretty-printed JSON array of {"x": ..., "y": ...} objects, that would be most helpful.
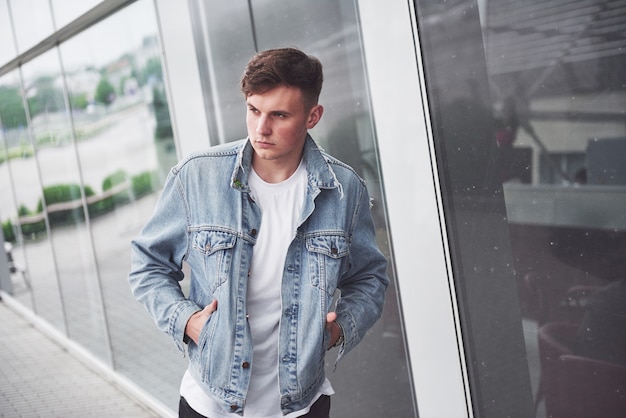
[{"x": 208, "y": 219}]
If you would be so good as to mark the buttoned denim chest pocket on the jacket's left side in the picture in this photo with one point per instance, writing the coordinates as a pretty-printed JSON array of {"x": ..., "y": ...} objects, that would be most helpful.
[{"x": 214, "y": 250}]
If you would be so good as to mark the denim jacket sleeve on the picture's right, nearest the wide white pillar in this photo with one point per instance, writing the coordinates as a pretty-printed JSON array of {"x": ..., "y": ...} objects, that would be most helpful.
[{"x": 363, "y": 286}]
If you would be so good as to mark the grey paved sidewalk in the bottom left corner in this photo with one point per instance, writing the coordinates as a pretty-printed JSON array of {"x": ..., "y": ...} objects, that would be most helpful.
[{"x": 40, "y": 378}]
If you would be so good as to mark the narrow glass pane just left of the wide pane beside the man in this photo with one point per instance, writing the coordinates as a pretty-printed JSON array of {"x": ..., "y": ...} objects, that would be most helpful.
[{"x": 63, "y": 202}]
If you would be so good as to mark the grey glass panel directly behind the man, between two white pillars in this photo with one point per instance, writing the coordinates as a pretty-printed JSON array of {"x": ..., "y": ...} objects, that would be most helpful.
[{"x": 374, "y": 378}]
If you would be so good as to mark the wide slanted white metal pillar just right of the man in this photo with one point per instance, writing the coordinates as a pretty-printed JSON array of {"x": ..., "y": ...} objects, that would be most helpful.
[{"x": 413, "y": 197}]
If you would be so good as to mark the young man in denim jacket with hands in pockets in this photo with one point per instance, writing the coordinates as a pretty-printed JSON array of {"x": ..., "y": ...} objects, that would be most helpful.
[{"x": 270, "y": 226}]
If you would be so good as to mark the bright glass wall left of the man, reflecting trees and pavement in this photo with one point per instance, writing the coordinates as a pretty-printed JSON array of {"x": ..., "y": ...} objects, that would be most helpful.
[{"x": 86, "y": 143}]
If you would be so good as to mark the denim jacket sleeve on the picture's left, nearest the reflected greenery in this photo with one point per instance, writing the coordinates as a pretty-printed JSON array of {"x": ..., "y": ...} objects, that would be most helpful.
[{"x": 156, "y": 263}]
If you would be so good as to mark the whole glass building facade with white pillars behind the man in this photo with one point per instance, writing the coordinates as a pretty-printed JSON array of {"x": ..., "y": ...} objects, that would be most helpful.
[{"x": 523, "y": 123}]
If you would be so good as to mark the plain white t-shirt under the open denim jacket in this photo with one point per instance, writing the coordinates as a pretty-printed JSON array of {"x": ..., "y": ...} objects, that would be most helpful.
[{"x": 281, "y": 205}]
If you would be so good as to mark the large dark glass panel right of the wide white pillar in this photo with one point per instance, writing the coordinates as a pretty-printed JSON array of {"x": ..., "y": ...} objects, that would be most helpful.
[{"x": 527, "y": 104}]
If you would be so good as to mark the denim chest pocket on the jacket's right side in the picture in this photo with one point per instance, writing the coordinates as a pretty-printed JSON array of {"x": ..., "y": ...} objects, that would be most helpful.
[{"x": 329, "y": 260}]
